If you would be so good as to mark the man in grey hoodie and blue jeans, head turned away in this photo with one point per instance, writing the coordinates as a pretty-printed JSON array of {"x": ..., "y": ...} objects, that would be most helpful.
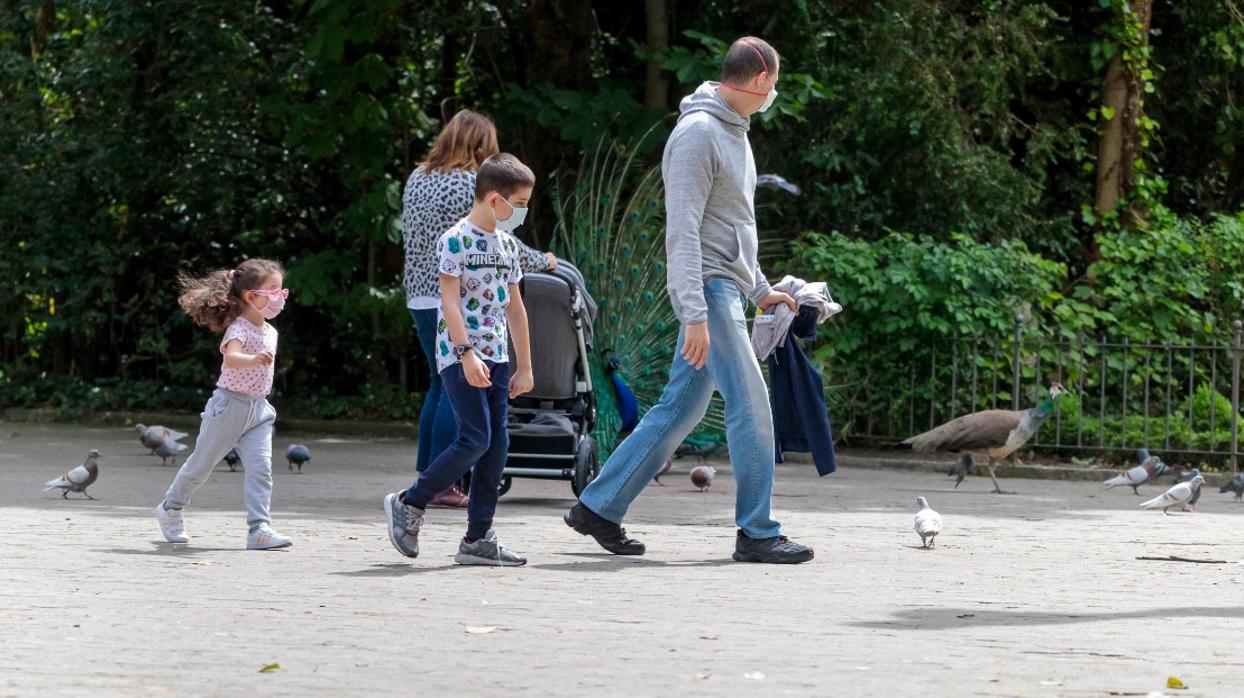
[{"x": 713, "y": 272}]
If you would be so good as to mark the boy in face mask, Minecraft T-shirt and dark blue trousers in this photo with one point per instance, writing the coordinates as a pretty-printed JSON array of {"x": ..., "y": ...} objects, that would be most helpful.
[{"x": 480, "y": 307}]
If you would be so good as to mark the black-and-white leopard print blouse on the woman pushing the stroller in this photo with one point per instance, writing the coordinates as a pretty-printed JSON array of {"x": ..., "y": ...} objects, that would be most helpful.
[{"x": 434, "y": 202}]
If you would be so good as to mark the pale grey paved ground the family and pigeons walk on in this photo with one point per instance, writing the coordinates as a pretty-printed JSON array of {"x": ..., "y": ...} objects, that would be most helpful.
[{"x": 1039, "y": 594}]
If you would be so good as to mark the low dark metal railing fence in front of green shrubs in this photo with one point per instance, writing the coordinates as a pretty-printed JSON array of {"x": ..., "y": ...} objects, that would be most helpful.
[{"x": 1182, "y": 400}]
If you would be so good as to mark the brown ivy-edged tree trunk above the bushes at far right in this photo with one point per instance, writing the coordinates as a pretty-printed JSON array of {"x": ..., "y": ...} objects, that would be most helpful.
[{"x": 1120, "y": 139}]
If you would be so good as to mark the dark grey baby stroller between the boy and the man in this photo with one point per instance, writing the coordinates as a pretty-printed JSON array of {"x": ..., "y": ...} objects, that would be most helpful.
[{"x": 550, "y": 427}]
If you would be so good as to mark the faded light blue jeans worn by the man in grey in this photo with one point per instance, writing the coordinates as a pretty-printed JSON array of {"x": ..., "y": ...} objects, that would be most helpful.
[{"x": 733, "y": 370}]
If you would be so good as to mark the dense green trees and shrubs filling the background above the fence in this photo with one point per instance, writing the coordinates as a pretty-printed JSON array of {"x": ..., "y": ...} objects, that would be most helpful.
[{"x": 139, "y": 140}]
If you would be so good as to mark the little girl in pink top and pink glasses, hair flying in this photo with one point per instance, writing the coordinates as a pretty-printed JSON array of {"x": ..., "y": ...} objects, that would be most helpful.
[{"x": 238, "y": 303}]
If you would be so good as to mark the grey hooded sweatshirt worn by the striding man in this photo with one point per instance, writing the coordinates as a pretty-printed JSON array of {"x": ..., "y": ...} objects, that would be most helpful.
[{"x": 711, "y": 223}]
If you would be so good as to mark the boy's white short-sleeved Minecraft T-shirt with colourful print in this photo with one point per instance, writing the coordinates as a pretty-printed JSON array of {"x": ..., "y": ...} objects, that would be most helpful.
[{"x": 486, "y": 264}]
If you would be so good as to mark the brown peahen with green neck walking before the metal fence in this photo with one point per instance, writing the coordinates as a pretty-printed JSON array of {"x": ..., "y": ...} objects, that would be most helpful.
[{"x": 992, "y": 435}]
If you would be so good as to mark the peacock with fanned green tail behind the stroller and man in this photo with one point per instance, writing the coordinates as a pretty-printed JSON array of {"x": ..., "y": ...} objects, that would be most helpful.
[{"x": 611, "y": 225}]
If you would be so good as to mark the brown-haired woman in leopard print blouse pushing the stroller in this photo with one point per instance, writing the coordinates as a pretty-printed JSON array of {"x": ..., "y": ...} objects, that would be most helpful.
[{"x": 439, "y": 195}]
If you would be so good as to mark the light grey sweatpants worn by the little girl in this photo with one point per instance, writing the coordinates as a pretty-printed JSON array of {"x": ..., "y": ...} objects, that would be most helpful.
[{"x": 232, "y": 421}]
